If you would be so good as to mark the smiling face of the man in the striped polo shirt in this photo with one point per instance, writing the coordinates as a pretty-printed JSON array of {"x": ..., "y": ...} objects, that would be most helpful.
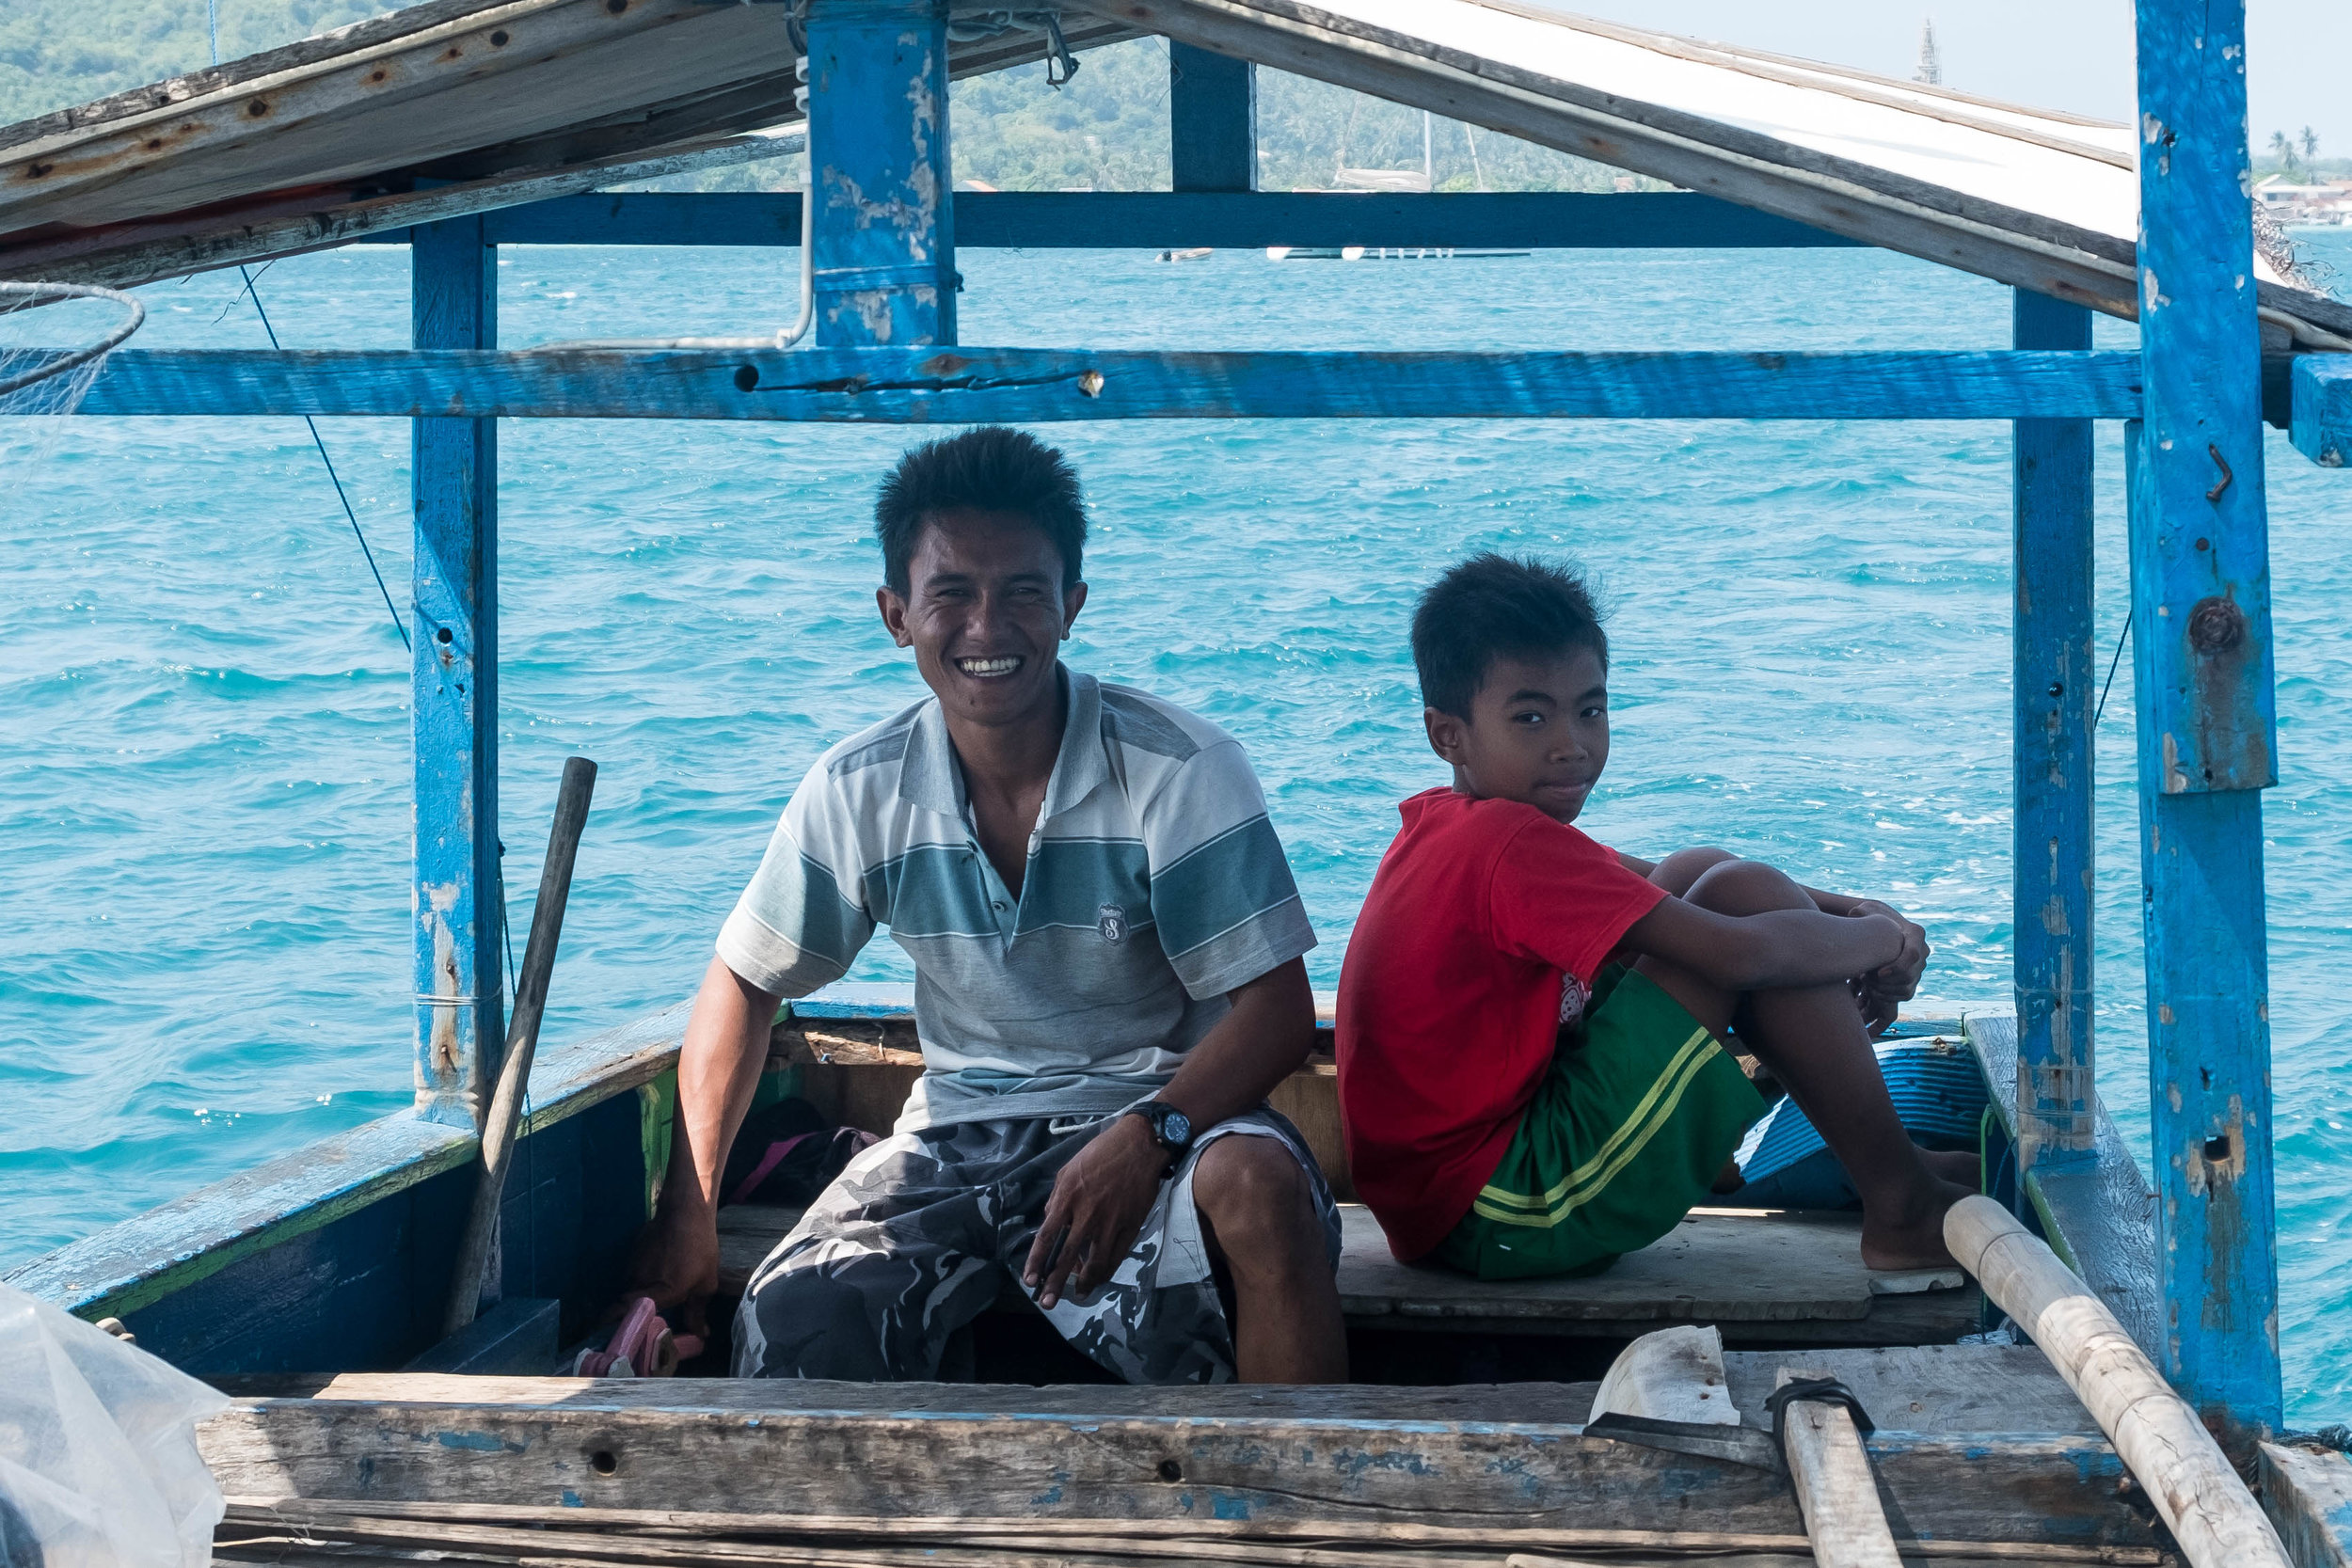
[{"x": 987, "y": 615}]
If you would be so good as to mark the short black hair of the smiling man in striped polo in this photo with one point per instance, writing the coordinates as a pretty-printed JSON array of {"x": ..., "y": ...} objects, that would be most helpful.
[{"x": 994, "y": 469}]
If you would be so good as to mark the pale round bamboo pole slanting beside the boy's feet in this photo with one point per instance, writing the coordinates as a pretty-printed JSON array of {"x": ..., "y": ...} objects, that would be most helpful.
[{"x": 2170, "y": 1452}]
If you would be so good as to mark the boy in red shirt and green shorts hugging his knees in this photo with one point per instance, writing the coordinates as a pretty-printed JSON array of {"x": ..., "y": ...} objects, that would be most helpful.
[{"x": 1530, "y": 1026}]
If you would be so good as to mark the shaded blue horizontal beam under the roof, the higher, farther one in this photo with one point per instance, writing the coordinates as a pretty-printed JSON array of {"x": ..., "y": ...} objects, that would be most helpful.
[{"x": 1163, "y": 220}]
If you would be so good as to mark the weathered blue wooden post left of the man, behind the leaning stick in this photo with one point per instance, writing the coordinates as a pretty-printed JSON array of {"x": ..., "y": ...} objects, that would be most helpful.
[{"x": 455, "y": 692}]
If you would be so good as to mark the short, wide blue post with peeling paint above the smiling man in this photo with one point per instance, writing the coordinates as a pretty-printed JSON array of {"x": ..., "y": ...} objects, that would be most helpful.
[{"x": 878, "y": 152}]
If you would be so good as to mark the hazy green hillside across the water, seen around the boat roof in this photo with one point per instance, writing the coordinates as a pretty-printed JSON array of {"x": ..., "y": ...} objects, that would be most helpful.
[{"x": 1104, "y": 130}]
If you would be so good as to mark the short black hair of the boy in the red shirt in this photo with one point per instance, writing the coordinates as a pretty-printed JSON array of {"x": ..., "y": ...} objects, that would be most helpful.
[{"x": 1495, "y": 605}]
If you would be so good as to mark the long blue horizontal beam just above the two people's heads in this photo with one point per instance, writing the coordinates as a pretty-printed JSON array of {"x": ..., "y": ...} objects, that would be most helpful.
[{"x": 1064, "y": 384}]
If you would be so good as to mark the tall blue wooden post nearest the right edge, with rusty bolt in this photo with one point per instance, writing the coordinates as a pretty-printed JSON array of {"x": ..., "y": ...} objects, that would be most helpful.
[{"x": 2200, "y": 587}]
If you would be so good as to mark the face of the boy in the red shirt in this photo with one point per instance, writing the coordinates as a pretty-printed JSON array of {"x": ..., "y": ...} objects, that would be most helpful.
[{"x": 1537, "y": 732}]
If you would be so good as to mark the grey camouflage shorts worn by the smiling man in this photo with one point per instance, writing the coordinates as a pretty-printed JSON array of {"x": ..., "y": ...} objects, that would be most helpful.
[{"x": 926, "y": 1228}]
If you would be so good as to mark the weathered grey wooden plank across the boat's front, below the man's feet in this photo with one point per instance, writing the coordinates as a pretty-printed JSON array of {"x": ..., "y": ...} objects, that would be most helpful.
[{"x": 1267, "y": 1470}]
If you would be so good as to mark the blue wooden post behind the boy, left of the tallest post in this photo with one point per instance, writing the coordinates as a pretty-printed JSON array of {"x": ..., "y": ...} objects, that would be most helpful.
[{"x": 2054, "y": 688}]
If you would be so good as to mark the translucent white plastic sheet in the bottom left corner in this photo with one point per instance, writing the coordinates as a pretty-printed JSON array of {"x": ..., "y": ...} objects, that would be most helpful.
[{"x": 98, "y": 1449}]
